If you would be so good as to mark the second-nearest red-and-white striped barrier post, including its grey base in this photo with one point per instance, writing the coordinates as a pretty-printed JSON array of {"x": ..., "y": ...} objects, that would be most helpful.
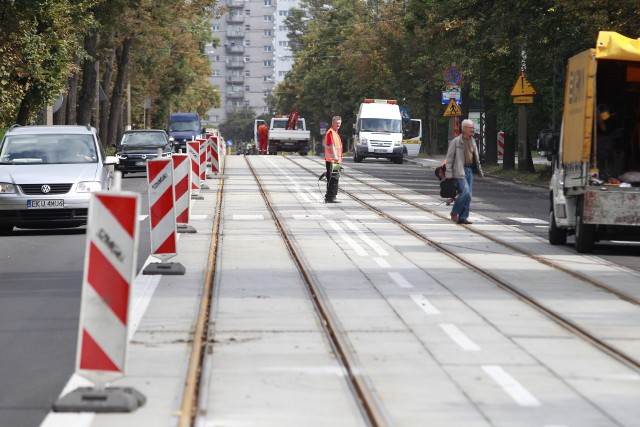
[{"x": 162, "y": 217}]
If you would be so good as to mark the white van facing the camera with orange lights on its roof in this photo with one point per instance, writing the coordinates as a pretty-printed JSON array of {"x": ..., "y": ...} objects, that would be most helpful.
[{"x": 378, "y": 131}]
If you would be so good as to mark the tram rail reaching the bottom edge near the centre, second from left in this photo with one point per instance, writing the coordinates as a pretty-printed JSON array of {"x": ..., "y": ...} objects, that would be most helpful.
[{"x": 365, "y": 397}]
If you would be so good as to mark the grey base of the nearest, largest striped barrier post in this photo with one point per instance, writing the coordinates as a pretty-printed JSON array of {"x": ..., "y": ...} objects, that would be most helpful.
[{"x": 110, "y": 399}]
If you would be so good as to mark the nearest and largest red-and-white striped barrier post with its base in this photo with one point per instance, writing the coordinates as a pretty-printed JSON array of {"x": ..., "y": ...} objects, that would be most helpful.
[{"x": 109, "y": 270}]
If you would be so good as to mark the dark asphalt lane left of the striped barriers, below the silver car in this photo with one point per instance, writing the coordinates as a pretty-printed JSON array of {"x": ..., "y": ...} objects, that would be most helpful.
[{"x": 40, "y": 286}]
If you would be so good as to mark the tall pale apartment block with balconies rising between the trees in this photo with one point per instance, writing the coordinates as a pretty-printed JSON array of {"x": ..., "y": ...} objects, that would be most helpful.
[{"x": 253, "y": 55}]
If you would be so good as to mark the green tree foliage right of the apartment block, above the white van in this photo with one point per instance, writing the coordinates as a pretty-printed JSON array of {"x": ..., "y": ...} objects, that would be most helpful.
[{"x": 347, "y": 50}]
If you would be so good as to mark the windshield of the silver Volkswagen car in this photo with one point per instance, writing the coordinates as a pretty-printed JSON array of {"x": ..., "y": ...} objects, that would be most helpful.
[{"x": 48, "y": 149}]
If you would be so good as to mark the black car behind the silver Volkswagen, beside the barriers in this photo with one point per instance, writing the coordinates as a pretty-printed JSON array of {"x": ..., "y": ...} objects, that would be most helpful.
[{"x": 138, "y": 146}]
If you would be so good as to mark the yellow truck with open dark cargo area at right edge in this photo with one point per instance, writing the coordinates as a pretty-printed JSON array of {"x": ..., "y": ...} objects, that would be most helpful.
[{"x": 595, "y": 185}]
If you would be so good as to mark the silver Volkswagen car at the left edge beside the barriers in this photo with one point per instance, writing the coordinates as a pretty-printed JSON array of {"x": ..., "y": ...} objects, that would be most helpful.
[{"x": 47, "y": 175}]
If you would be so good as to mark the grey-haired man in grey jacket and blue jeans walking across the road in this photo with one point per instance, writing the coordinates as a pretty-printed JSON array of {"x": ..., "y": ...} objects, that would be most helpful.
[{"x": 462, "y": 157}]
